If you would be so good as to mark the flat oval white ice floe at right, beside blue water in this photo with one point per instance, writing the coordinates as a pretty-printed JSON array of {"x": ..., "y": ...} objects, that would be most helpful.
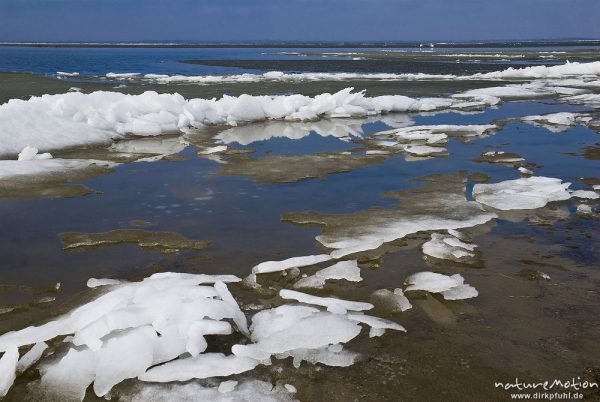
[{"x": 524, "y": 193}]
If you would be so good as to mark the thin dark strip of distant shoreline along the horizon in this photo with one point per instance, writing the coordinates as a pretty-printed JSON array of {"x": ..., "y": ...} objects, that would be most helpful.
[{"x": 283, "y": 45}]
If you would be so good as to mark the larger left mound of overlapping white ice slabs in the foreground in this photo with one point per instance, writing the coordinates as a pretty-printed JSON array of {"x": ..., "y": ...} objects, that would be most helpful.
[{"x": 117, "y": 334}]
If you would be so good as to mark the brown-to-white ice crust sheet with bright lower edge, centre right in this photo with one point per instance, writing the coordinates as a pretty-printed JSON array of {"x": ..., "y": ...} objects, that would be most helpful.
[{"x": 440, "y": 205}]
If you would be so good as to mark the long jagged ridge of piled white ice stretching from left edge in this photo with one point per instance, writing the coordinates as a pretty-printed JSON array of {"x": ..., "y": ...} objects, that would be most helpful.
[{"x": 63, "y": 120}]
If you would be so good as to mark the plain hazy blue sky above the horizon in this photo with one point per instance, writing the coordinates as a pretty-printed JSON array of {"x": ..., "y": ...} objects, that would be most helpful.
[{"x": 297, "y": 20}]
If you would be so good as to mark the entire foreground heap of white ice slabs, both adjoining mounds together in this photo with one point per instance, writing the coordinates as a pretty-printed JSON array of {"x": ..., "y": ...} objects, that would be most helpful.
[{"x": 155, "y": 331}]
